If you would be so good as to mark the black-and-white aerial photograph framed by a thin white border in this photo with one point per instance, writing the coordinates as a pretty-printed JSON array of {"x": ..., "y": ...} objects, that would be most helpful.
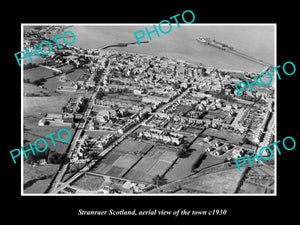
[{"x": 159, "y": 116}]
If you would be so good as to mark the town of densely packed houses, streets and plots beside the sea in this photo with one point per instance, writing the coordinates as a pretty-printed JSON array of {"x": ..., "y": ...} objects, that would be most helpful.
[{"x": 143, "y": 124}]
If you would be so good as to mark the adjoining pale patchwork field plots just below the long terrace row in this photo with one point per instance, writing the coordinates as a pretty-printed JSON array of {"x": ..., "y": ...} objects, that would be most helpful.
[{"x": 124, "y": 162}]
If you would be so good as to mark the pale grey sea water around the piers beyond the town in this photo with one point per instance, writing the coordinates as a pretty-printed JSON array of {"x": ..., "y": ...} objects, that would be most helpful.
[{"x": 255, "y": 40}]
